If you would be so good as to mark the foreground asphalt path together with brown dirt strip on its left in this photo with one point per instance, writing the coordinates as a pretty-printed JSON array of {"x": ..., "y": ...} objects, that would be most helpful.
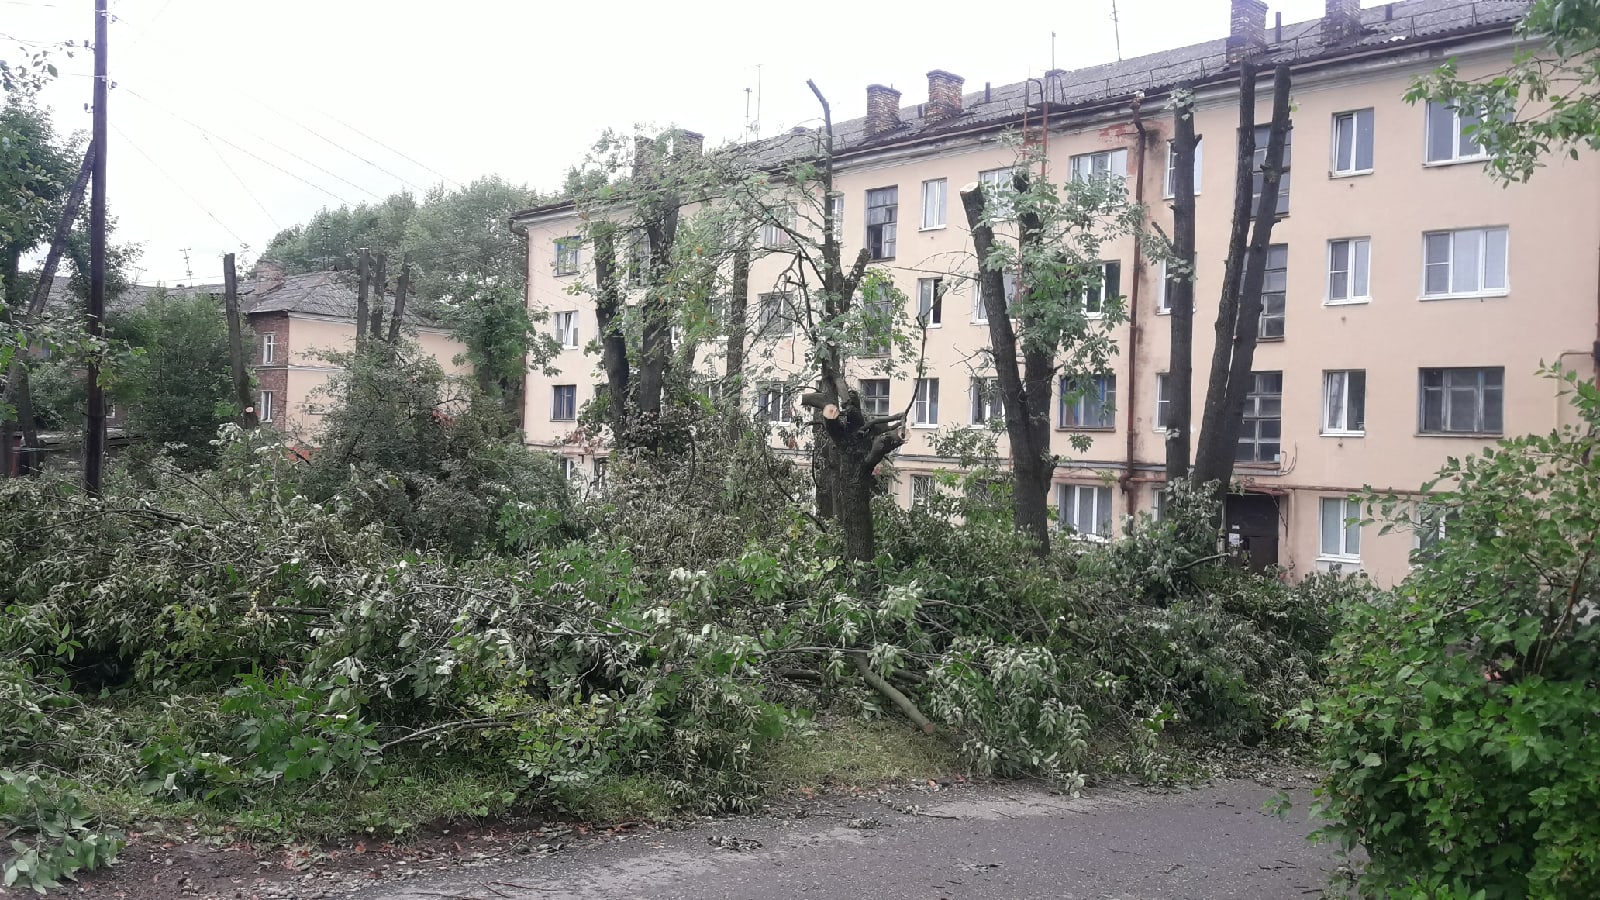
[{"x": 916, "y": 842}]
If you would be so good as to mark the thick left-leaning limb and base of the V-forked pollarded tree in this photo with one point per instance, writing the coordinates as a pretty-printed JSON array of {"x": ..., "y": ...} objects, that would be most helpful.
[{"x": 1026, "y": 395}]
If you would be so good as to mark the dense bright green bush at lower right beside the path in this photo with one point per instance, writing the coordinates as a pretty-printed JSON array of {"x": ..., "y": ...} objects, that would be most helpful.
[{"x": 1462, "y": 718}]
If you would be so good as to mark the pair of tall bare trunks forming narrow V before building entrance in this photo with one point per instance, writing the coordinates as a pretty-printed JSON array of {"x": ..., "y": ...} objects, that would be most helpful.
[{"x": 1239, "y": 313}]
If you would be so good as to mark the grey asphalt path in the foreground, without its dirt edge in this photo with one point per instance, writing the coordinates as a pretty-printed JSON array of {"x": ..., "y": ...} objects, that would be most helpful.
[{"x": 998, "y": 843}]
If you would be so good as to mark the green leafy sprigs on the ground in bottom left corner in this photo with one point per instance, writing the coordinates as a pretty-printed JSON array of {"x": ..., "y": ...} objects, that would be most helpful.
[{"x": 49, "y": 834}]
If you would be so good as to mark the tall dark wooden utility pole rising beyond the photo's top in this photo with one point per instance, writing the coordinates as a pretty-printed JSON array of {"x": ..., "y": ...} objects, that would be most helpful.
[{"x": 95, "y": 419}]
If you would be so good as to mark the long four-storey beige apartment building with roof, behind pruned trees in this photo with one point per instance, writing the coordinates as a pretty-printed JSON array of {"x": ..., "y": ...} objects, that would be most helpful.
[{"x": 1410, "y": 299}]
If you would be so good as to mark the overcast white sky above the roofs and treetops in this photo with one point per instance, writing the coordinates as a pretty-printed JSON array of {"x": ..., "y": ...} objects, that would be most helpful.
[{"x": 233, "y": 119}]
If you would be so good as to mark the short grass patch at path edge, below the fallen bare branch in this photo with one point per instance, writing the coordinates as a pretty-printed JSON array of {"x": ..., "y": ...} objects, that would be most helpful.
[{"x": 855, "y": 753}]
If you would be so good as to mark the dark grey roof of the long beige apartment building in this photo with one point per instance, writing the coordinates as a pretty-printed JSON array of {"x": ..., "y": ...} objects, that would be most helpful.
[{"x": 1398, "y": 25}]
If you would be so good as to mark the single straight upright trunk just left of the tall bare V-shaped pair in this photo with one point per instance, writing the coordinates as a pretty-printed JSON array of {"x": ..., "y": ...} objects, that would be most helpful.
[{"x": 1182, "y": 292}]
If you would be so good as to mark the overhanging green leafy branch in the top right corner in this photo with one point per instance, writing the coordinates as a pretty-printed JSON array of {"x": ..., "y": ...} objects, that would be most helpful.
[{"x": 1545, "y": 102}]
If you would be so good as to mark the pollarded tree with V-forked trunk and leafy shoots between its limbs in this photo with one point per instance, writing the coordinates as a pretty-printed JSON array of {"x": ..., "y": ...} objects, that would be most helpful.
[{"x": 1050, "y": 331}]
